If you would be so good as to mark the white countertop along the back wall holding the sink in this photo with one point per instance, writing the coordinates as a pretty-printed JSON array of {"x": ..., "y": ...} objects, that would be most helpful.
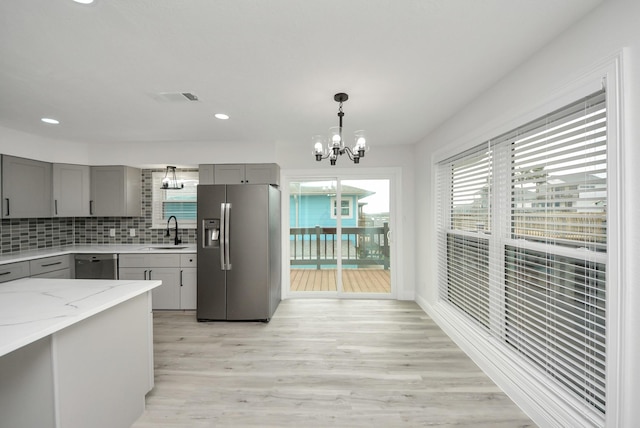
[{"x": 98, "y": 249}]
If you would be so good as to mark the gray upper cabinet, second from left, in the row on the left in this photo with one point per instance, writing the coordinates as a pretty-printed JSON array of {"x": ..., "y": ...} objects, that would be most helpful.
[{"x": 71, "y": 190}]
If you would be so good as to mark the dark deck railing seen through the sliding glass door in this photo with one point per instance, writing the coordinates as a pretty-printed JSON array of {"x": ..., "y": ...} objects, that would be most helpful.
[{"x": 360, "y": 246}]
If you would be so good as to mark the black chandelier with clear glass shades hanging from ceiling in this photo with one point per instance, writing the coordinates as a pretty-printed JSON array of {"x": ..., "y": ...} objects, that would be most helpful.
[{"x": 336, "y": 146}]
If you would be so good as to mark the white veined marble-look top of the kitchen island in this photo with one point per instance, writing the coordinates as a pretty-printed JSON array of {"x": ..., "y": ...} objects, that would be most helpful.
[{"x": 33, "y": 308}]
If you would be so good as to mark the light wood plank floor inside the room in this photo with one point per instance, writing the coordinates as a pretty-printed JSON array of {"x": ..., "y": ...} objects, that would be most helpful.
[{"x": 319, "y": 363}]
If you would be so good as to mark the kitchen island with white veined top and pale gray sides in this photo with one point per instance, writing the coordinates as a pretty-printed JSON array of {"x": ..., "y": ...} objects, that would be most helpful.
[{"x": 75, "y": 353}]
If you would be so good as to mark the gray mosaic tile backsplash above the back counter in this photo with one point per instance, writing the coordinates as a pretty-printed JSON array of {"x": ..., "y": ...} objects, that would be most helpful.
[{"x": 36, "y": 233}]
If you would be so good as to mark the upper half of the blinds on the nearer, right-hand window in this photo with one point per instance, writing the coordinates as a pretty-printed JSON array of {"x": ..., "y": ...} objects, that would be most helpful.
[{"x": 559, "y": 178}]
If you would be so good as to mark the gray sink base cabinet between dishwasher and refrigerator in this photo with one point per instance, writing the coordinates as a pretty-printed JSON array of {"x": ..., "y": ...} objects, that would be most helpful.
[{"x": 176, "y": 271}]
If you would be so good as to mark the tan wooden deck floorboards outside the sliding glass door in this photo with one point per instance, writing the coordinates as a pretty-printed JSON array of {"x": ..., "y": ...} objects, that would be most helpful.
[{"x": 363, "y": 280}]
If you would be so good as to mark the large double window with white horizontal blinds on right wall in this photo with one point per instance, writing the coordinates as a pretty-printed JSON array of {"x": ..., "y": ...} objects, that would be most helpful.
[{"x": 523, "y": 240}]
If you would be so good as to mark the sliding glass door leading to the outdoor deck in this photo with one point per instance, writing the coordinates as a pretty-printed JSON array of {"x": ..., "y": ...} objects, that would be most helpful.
[{"x": 339, "y": 237}]
